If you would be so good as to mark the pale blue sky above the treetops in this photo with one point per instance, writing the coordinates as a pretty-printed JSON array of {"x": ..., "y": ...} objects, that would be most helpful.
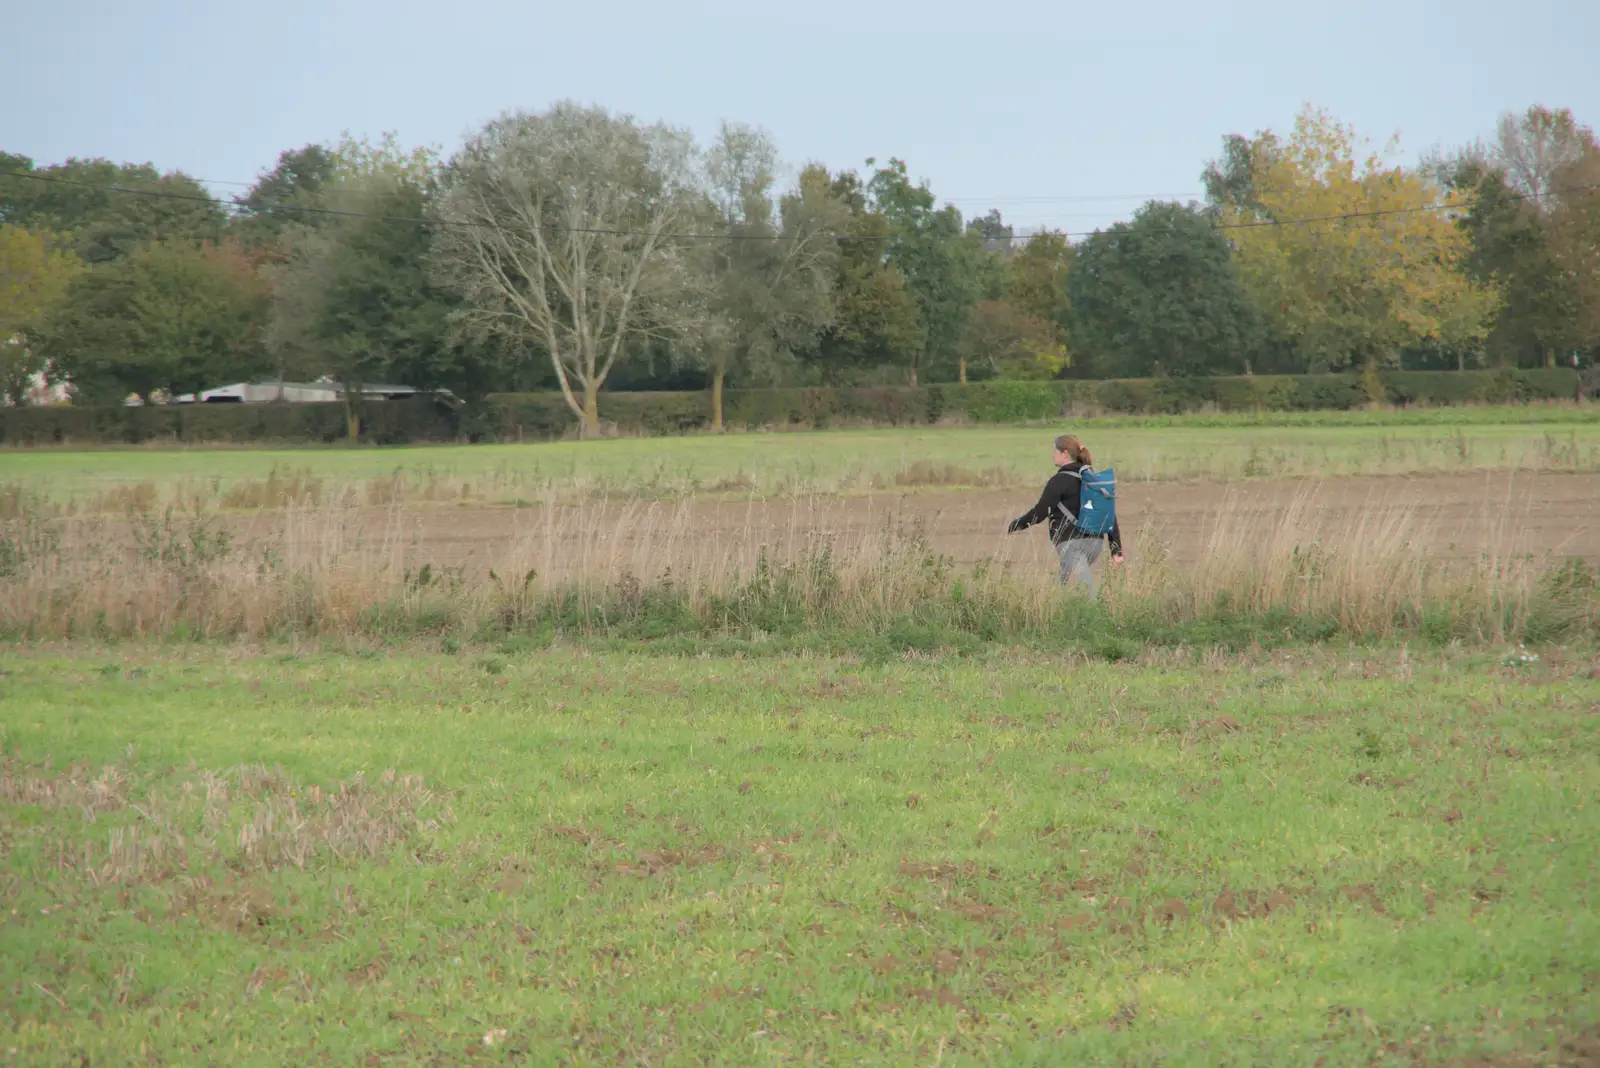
[{"x": 1062, "y": 114}]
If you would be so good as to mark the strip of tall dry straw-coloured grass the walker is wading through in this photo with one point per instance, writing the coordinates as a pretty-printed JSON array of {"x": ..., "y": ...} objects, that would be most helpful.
[{"x": 321, "y": 570}]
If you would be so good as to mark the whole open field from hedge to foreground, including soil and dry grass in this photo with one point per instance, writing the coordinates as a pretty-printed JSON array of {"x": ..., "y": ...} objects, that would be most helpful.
[{"x": 670, "y": 778}]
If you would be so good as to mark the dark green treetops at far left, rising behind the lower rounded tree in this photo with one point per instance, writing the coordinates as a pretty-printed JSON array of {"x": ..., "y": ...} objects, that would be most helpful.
[{"x": 102, "y": 223}]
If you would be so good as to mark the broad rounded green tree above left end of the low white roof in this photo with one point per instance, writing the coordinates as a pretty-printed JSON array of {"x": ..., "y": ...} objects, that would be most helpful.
[{"x": 170, "y": 317}]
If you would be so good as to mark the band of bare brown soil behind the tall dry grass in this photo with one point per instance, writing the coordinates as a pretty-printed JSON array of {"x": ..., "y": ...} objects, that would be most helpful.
[{"x": 1455, "y": 514}]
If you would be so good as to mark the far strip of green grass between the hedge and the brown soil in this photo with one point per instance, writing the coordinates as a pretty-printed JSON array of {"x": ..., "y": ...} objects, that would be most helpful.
[{"x": 849, "y": 461}]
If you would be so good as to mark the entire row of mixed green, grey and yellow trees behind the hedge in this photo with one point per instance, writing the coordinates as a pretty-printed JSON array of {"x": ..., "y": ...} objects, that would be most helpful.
[{"x": 578, "y": 250}]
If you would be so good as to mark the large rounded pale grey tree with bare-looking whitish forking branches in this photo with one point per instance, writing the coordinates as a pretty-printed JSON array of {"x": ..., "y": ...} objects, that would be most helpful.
[{"x": 562, "y": 229}]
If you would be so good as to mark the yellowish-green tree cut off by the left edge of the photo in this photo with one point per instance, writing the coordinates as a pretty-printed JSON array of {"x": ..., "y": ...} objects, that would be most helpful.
[{"x": 36, "y": 273}]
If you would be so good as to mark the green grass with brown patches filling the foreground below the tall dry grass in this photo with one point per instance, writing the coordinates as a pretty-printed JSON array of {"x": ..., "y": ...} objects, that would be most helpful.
[{"x": 630, "y": 859}]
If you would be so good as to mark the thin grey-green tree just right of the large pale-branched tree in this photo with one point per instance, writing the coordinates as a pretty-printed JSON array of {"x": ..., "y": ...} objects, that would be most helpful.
[{"x": 770, "y": 279}]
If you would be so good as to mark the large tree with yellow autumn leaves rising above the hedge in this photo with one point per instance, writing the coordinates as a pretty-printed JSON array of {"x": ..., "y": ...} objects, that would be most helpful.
[{"x": 1353, "y": 260}]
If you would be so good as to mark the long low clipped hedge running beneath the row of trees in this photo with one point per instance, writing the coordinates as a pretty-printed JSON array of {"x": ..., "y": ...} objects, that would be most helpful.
[{"x": 546, "y": 416}]
